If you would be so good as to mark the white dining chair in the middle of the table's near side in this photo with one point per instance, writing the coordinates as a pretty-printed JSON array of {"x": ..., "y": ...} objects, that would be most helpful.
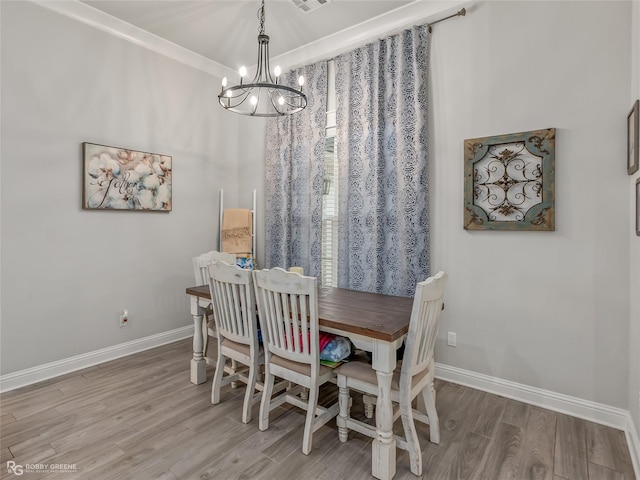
[{"x": 288, "y": 313}]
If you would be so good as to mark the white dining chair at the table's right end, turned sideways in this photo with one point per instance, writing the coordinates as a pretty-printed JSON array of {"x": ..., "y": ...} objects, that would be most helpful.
[{"x": 413, "y": 377}]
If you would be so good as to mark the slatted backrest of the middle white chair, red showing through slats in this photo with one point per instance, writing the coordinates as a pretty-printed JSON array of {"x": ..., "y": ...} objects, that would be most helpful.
[{"x": 288, "y": 312}]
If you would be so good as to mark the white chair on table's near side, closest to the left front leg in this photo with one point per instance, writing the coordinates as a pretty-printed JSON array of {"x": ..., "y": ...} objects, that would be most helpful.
[{"x": 234, "y": 308}]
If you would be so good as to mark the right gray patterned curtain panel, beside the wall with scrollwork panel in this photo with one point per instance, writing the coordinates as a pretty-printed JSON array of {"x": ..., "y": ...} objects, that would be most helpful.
[{"x": 381, "y": 136}]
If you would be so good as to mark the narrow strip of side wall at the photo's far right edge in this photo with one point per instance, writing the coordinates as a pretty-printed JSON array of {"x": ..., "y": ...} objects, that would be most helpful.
[{"x": 634, "y": 248}]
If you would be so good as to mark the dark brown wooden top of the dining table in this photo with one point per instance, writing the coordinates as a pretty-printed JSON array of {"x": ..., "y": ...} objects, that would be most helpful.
[{"x": 374, "y": 315}]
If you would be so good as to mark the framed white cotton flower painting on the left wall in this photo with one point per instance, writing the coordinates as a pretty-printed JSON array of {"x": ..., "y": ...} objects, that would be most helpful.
[{"x": 120, "y": 179}]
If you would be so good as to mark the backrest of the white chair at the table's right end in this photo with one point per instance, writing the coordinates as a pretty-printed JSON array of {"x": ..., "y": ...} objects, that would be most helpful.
[{"x": 423, "y": 326}]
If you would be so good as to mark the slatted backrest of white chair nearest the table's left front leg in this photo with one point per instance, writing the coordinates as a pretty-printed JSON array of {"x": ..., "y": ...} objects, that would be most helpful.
[{"x": 233, "y": 298}]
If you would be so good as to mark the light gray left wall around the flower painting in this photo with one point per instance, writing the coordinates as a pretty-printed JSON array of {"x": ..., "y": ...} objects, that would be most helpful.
[{"x": 66, "y": 273}]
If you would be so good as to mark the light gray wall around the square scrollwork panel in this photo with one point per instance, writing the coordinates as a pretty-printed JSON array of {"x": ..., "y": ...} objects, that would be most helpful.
[{"x": 545, "y": 309}]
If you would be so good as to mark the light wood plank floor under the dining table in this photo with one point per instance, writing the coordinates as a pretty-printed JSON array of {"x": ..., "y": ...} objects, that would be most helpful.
[{"x": 140, "y": 418}]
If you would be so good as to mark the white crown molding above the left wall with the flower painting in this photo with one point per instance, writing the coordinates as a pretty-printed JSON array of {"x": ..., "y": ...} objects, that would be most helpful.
[{"x": 102, "y": 21}]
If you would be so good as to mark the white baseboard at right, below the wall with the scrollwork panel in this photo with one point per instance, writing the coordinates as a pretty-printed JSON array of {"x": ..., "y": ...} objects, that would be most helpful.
[{"x": 594, "y": 412}]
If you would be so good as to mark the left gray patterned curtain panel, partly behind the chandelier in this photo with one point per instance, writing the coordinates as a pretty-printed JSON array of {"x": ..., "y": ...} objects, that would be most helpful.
[{"x": 294, "y": 173}]
